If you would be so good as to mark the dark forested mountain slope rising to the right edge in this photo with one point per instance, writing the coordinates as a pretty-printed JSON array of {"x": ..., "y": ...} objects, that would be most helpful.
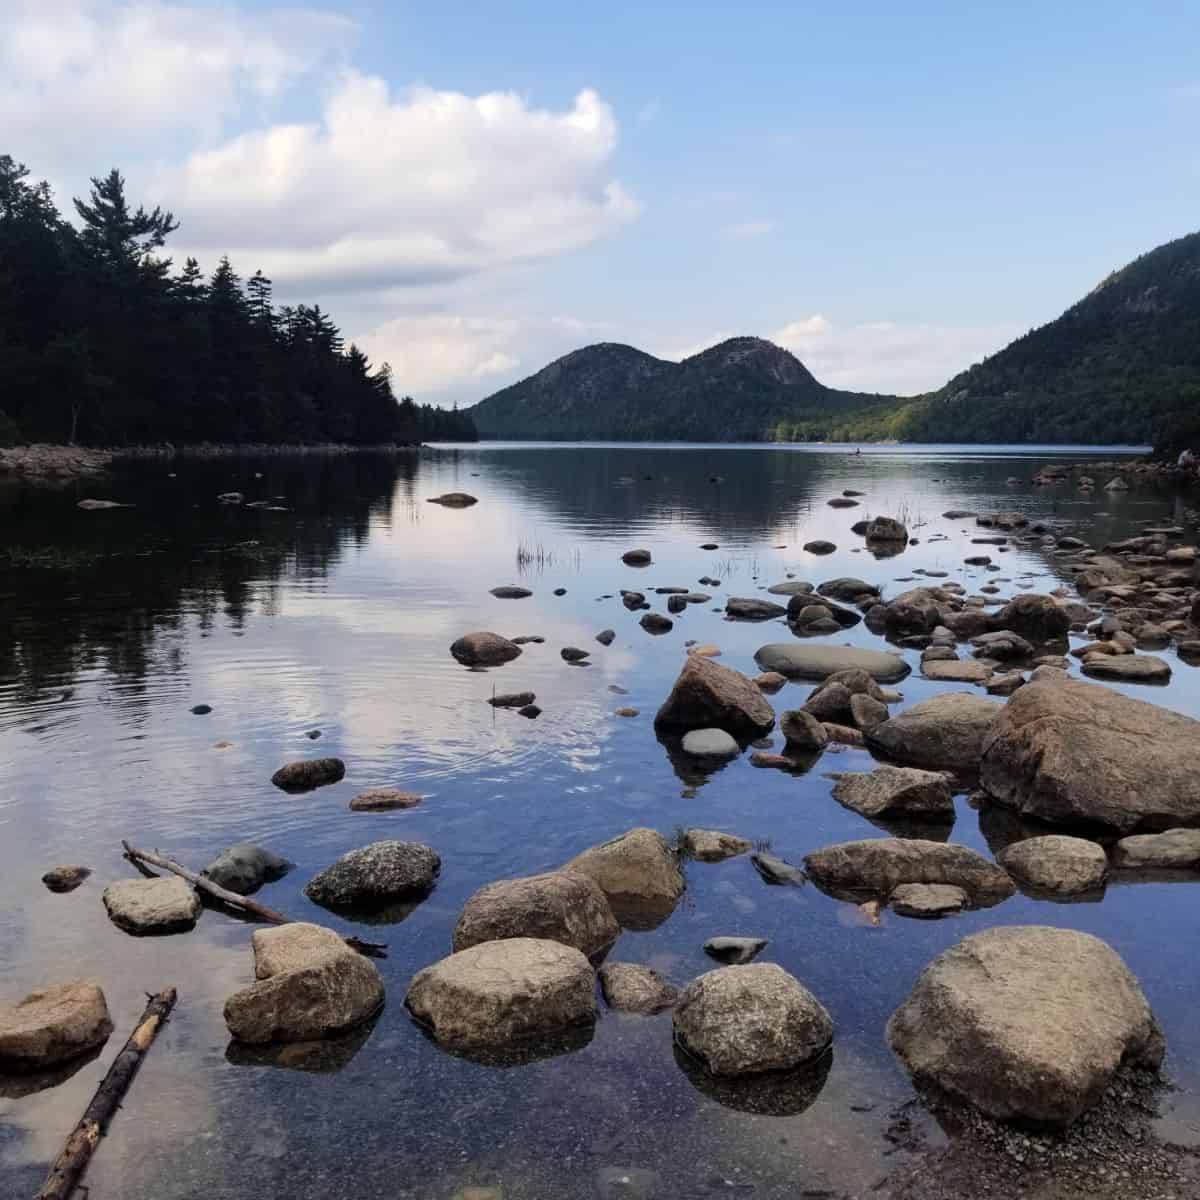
[{"x": 1121, "y": 365}]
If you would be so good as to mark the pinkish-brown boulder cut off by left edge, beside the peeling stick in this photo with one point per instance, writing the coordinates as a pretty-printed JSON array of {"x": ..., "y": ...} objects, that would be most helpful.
[{"x": 52, "y": 1027}]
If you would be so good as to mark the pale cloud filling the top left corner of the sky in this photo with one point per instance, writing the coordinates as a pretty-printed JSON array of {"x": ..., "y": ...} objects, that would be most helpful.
[{"x": 86, "y": 76}]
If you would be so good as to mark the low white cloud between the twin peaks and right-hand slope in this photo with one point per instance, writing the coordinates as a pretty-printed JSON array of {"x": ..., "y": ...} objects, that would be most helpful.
[{"x": 905, "y": 358}]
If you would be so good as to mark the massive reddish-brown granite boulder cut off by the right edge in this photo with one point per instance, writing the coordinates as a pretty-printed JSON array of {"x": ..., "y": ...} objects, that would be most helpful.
[{"x": 1071, "y": 753}]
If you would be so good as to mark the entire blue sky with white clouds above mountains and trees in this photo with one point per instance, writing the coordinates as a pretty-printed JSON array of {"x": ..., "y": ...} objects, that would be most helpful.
[{"x": 890, "y": 190}]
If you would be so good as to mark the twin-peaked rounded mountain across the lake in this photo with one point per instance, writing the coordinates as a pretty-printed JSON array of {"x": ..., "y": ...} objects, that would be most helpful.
[{"x": 736, "y": 392}]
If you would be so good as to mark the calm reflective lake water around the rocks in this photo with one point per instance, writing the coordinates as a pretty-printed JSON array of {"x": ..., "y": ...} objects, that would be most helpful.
[{"x": 338, "y": 615}]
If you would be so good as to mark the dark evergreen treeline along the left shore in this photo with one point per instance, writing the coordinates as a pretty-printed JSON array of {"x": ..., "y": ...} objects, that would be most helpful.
[{"x": 105, "y": 343}]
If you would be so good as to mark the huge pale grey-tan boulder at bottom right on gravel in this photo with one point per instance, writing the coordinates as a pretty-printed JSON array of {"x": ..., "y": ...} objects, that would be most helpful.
[{"x": 1027, "y": 1023}]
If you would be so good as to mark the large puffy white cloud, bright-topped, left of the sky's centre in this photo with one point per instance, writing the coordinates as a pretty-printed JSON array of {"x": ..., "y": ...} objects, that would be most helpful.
[{"x": 405, "y": 191}]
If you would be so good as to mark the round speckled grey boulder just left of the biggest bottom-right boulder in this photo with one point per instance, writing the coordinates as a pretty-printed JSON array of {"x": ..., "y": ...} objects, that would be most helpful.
[{"x": 748, "y": 1019}]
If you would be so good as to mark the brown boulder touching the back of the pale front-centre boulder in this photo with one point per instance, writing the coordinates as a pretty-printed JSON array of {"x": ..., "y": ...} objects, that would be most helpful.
[{"x": 559, "y": 907}]
